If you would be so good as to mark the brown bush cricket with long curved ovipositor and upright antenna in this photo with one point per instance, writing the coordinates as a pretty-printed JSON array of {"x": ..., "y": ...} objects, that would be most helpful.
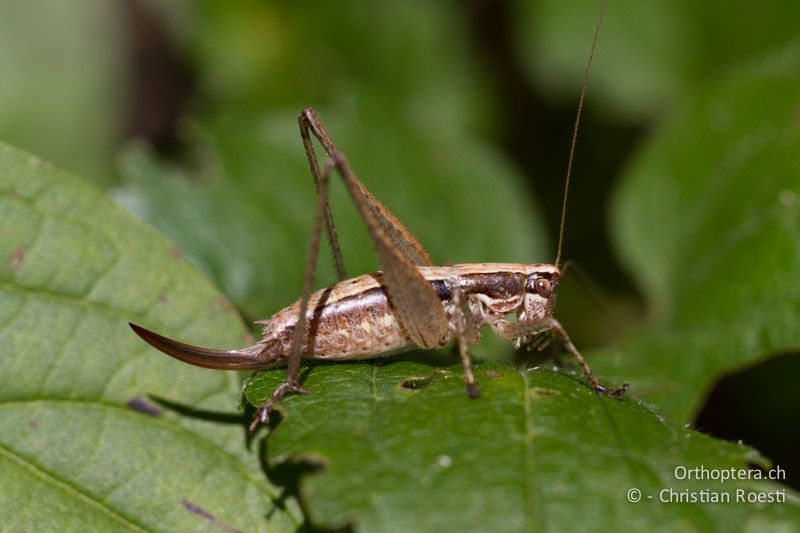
[{"x": 410, "y": 304}]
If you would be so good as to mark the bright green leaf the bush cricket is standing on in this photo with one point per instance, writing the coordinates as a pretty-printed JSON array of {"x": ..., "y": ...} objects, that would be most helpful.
[{"x": 401, "y": 443}]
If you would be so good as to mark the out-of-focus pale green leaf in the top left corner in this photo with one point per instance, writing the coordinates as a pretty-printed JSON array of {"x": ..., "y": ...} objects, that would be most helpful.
[{"x": 64, "y": 89}]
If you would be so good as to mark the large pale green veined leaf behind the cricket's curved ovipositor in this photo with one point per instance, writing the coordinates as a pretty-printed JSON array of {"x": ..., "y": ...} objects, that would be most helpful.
[{"x": 80, "y": 441}]
